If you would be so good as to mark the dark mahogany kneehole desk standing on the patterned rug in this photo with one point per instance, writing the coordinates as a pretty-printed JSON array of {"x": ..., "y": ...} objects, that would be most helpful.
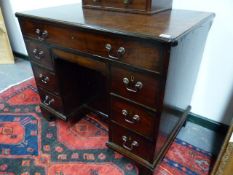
[{"x": 131, "y": 69}]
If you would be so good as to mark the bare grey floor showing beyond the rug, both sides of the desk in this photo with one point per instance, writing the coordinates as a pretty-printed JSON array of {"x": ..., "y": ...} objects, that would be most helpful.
[{"x": 191, "y": 133}]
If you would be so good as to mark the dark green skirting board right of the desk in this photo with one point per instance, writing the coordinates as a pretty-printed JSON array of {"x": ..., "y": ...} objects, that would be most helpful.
[{"x": 207, "y": 123}]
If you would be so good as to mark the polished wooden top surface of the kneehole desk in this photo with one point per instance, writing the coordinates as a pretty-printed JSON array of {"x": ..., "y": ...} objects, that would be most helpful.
[{"x": 167, "y": 26}]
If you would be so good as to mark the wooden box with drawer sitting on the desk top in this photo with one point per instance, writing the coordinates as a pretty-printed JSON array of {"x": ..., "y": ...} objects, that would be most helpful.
[{"x": 131, "y": 6}]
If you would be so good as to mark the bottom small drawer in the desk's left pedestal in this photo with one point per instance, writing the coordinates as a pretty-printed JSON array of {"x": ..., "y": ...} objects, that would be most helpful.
[{"x": 51, "y": 100}]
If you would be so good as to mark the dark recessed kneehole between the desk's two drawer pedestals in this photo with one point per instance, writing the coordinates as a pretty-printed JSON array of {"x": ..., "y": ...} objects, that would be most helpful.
[{"x": 80, "y": 85}]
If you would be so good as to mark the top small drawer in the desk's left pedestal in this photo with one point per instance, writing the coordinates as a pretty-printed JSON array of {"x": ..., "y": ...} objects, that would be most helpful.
[{"x": 39, "y": 54}]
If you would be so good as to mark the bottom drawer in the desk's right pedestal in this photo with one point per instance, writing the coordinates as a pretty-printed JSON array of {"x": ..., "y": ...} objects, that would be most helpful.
[{"x": 132, "y": 142}]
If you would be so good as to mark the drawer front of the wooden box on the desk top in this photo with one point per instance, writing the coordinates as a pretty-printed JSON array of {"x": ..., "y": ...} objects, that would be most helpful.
[{"x": 121, "y": 4}]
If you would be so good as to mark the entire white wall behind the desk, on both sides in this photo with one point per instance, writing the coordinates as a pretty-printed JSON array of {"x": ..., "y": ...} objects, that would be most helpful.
[{"x": 213, "y": 93}]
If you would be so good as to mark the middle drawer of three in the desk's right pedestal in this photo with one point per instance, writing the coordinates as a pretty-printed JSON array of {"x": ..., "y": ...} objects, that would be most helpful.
[{"x": 134, "y": 117}]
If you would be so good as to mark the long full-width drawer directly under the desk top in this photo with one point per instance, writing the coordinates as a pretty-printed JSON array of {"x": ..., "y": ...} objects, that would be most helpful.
[{"x": 138, "y": 52}]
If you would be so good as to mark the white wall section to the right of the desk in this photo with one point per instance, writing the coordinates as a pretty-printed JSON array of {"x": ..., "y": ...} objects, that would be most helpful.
[{"x": 213, "y": 93}]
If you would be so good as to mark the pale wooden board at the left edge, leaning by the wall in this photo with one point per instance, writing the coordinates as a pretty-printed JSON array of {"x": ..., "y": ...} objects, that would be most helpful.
[{"x": 6, "y": 56}]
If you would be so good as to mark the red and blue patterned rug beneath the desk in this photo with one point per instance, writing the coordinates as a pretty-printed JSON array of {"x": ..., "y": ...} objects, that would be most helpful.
[{"x": 29, "y": 145}]
